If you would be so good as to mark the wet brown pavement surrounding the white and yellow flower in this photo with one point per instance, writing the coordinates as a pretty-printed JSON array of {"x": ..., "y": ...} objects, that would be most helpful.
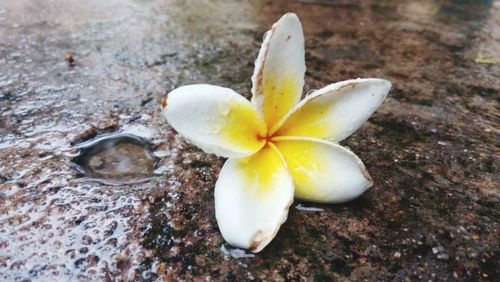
[{"x": 73, "y": 207}]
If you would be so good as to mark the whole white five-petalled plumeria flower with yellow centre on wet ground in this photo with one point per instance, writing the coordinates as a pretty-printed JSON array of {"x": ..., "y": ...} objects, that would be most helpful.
[{"x": 277, "y": 147}]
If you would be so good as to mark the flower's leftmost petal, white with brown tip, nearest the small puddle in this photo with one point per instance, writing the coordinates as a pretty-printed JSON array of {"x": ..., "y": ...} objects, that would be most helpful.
[{"x": 216, "y": 119}]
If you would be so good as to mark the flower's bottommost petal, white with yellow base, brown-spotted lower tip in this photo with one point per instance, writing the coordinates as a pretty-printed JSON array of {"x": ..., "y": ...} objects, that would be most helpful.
[{"x": 252, "y": 197}]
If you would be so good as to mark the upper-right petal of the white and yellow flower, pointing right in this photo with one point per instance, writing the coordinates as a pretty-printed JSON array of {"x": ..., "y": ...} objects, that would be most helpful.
[{"x": 336, "y": 111}]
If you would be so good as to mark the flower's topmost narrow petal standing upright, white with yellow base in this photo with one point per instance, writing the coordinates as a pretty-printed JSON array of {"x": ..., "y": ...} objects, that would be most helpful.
[{"x": 278, "y": 78}]
